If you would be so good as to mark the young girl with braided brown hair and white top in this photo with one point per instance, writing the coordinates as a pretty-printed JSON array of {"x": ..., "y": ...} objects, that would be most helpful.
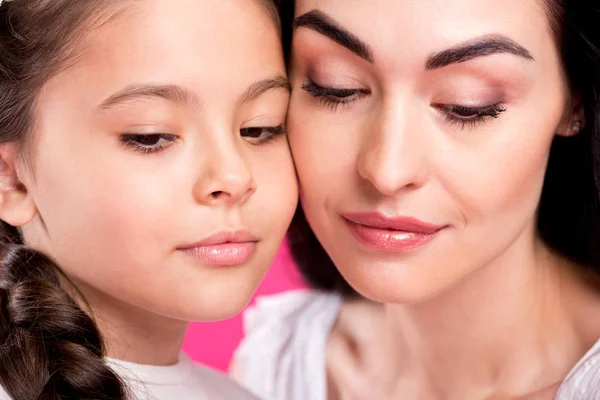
[{"x": 145, "y": 182}]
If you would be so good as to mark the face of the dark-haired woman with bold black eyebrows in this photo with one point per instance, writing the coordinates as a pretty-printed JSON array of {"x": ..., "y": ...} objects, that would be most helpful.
[{"x": 421, "y": 132}]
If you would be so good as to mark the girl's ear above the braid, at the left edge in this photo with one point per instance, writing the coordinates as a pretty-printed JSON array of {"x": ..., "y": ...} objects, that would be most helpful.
[{"x": 16, "y": 205}]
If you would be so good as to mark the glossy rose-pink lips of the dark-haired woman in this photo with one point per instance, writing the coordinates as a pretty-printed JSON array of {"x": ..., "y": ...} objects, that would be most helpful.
[{"x": 383, "y": 233}]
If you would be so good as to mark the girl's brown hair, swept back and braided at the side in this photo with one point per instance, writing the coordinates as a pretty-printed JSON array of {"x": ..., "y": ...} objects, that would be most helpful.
[{"x": 50, "y": 348}]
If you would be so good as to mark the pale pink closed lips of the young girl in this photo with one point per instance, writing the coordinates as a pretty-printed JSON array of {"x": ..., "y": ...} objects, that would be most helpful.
[{"x": 224, "y": 248}]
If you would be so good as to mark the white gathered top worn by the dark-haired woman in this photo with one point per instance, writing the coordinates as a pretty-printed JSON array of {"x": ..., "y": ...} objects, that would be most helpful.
[{"x": 282, "y": 356}]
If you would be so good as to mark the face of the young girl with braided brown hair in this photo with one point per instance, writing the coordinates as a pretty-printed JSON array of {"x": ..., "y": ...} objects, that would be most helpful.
[{"x": 158, "y": 149}]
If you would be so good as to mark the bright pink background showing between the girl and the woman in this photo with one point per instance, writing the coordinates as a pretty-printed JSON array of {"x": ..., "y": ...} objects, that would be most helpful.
[{"x": 214, "y": 343}]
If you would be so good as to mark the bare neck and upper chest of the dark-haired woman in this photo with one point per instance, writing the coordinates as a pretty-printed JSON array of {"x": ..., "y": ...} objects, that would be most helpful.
[{"x": 508, "y": 329}]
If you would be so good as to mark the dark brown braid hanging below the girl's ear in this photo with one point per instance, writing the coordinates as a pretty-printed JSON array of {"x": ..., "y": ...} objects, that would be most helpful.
[{"x": 49, "y": 347}]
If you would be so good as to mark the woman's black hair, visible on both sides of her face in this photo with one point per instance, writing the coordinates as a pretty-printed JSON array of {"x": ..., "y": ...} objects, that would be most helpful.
[{"x": 568, "y": 214}]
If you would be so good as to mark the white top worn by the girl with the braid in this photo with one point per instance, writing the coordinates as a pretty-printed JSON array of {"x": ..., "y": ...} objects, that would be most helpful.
[{"x": 184, "y": 380}]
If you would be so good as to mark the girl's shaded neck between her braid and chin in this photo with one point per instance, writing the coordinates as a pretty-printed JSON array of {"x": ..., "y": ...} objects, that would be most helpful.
[{"x": 133, "y": 334}]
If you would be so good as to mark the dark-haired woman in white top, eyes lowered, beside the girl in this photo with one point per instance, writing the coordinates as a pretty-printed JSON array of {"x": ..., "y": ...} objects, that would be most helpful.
[{"x": 448, "y": 157}]
